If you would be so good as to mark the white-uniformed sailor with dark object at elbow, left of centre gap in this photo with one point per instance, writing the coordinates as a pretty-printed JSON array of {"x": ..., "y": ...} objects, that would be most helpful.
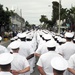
[{"x": 26, "y": 50}]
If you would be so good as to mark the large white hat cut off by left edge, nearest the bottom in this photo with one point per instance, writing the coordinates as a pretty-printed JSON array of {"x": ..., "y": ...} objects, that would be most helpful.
[{"x": 5, "y": 58}]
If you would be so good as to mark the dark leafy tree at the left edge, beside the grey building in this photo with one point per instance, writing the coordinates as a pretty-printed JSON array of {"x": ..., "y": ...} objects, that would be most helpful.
[{"x": 4, "y": 18}]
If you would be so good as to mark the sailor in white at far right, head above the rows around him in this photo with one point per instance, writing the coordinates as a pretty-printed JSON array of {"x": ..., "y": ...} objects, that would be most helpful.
[{"x": 68, "y": 48}]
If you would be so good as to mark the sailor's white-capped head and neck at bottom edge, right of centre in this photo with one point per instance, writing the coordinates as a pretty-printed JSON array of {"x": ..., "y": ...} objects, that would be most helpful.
[{"x": 59, "y": 65}]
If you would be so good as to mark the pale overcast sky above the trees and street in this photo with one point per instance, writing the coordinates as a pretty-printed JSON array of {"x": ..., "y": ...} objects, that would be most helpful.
[{"x": 33, "y": 9}]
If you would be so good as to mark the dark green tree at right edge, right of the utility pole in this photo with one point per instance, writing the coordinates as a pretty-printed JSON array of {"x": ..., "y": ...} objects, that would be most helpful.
[{"x": 69, "y": 16}]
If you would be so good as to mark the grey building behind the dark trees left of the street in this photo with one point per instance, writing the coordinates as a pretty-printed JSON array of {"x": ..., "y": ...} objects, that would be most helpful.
[{"x": 17, "y": 22}]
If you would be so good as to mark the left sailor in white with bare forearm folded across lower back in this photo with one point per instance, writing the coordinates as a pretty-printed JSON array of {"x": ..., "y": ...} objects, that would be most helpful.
[{"x": 19, "y": 65}]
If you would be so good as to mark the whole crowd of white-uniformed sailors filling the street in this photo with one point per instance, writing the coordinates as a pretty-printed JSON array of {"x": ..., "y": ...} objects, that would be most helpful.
[{"x": 55, "y": 53}]
